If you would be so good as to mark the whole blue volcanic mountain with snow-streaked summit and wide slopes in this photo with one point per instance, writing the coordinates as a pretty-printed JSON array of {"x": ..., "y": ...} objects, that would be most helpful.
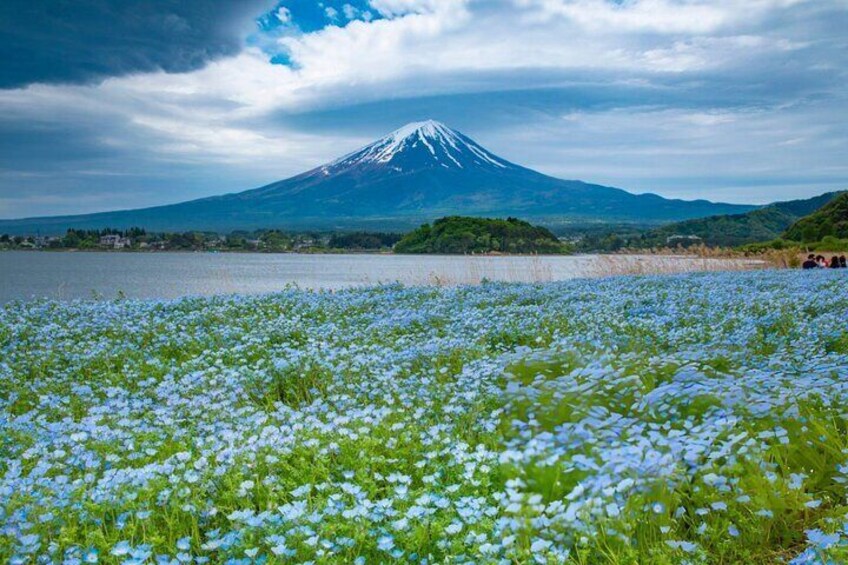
[{"x": 422, "y": 171}]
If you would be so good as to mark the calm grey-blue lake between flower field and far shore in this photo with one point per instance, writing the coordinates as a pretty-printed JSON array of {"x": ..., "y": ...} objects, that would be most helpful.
[{"x": 69, "y": 275}]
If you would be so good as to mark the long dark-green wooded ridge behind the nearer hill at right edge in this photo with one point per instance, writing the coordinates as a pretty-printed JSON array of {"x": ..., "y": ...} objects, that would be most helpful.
[{"x": 731, "y": 230}]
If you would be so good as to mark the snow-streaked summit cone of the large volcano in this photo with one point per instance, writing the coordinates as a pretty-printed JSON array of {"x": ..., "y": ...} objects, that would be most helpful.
[{"x": 420, "y": 145}]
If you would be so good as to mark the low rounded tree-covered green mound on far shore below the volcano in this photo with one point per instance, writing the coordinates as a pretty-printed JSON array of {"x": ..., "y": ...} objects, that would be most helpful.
[{"x": 460, "y": 235}]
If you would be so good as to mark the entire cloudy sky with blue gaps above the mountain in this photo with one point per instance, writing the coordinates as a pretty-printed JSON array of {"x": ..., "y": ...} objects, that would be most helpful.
[{"x": 120, "y": 104}]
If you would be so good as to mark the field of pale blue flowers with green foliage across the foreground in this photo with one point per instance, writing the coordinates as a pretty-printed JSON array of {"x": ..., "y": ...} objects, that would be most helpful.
[{"x": 697, "y": 418}]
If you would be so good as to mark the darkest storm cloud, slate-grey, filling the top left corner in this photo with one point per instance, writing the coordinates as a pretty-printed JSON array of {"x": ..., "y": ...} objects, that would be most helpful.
[{"x": 80, "y": 41}]
